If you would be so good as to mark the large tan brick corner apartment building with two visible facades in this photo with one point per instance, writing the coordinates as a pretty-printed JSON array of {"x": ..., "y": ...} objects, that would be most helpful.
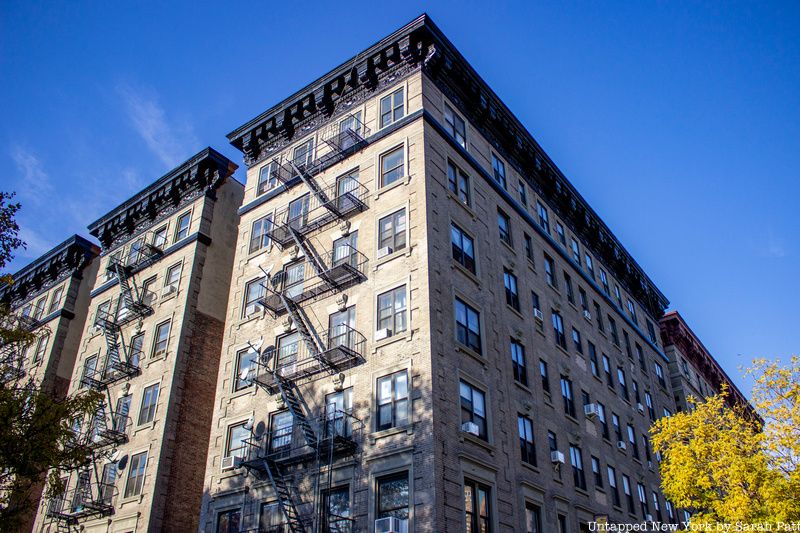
[{"x": 428, "y": 328}]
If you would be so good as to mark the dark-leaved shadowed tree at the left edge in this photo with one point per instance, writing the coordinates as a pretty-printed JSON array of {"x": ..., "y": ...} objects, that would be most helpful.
[{"x": 36, "y": 436}]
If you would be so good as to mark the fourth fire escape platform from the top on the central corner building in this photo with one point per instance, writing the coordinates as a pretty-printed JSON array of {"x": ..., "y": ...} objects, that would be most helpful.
[{"x": 341, "y": 348}]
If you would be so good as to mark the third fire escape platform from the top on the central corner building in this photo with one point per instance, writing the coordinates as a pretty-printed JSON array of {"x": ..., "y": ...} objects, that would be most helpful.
[{"x": 314, "y": 278}]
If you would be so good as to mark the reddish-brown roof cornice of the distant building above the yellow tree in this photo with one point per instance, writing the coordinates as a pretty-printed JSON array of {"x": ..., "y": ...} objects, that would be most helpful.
[{"x": 676, "y": 332}]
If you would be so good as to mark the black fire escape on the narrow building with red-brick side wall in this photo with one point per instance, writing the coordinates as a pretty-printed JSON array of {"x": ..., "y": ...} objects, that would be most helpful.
[{"x": 92, "y": 495}]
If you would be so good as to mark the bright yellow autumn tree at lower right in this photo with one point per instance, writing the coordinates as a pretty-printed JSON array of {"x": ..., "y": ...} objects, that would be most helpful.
[{"x": 715, "y": 461}]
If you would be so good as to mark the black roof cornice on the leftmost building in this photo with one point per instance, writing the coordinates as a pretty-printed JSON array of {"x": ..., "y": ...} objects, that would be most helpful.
[{"x": 64, "y": 260}]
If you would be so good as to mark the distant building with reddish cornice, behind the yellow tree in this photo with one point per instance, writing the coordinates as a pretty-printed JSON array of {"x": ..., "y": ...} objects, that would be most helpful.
[{"x": 693, "y": 370}]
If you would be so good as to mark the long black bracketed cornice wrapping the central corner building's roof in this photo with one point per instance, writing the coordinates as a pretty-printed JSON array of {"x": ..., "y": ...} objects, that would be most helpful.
[{"x": 421, "y": 44}]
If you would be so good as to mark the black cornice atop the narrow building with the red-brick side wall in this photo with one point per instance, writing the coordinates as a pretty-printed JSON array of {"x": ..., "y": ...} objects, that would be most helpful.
[{"x": 200, "y": 174}]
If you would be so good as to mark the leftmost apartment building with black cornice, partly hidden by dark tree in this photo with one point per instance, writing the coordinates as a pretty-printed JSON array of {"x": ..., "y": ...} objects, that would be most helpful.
[{"x": 50, "y": 297}]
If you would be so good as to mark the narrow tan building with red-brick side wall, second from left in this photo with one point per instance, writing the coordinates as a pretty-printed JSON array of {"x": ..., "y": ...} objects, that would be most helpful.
[{"x": 151, "y": 346}]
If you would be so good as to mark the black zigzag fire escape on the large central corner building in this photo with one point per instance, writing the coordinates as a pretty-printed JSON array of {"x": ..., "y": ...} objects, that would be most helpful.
[{"x": 283, "y": 455}]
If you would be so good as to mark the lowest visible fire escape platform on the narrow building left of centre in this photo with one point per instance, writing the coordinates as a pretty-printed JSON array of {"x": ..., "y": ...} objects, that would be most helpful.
[{"x": 87, "y": 500}]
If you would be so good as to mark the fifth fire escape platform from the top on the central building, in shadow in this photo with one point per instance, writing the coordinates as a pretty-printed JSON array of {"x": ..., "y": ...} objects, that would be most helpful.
[{"x": 339, "y": 433}]
